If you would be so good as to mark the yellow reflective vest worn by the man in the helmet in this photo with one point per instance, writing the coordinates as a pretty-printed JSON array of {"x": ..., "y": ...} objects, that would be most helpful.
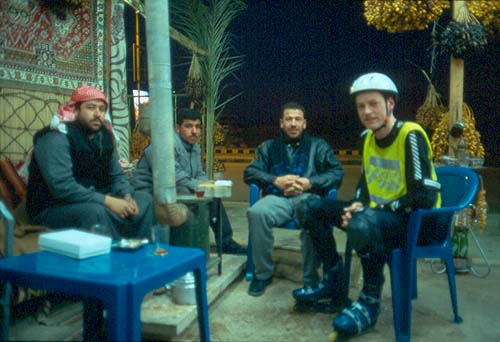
[{"x": 384, "y": 168}]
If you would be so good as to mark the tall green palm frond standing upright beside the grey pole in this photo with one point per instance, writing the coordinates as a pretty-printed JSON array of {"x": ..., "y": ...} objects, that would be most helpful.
[{"x": 206, "y": 23}]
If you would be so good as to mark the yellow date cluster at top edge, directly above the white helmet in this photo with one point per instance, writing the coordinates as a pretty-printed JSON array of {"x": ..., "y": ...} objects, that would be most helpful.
[{"x": 403, "y": 15}]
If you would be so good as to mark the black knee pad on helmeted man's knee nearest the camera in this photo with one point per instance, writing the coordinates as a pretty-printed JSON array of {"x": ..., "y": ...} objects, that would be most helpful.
[{"x": 363, "y": 232}]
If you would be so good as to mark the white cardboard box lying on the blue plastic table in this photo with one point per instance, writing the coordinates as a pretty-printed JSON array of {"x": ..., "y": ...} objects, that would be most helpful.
[{"x": 75, "y": 243}]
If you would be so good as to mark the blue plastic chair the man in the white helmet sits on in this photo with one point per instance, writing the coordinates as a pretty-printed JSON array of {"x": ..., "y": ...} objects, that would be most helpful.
[{"x": 459, "y": 186}]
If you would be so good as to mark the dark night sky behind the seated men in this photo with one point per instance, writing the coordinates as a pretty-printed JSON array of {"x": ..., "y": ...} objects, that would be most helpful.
[{"x": 310, "y": 51}]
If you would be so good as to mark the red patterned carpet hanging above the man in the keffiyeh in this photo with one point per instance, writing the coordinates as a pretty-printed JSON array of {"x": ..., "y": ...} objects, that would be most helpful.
[{"x": 43, "y": 53}]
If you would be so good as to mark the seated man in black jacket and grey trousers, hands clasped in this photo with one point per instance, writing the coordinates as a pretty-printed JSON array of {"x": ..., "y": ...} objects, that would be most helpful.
[{"x": 289, "y": 169}]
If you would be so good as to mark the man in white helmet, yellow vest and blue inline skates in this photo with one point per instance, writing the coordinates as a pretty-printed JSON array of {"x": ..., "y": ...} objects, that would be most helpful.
[{"x": 397, "y": 176}]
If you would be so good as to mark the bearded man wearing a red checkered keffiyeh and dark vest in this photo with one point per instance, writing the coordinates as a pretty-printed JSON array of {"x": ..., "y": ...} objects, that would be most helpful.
[{"x": 75, "y": 179}]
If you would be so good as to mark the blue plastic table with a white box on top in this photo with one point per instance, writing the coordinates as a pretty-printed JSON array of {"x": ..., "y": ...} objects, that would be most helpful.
[{"x": 118, "y": 281}]
